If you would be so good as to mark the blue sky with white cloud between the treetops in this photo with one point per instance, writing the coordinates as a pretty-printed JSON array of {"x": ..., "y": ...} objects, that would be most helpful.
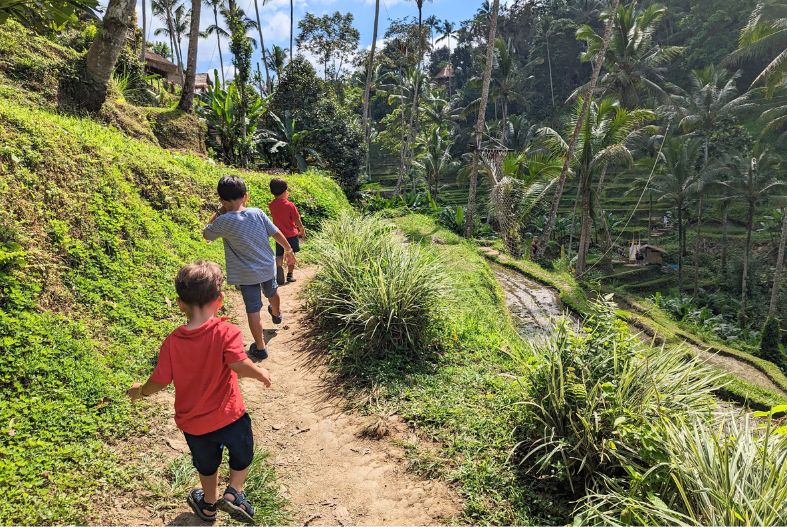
[{"x": 276, "y": 15}]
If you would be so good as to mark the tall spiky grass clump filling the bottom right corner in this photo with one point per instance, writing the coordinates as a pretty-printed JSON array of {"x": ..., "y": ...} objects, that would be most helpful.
[{"x": 727, "y": 473}]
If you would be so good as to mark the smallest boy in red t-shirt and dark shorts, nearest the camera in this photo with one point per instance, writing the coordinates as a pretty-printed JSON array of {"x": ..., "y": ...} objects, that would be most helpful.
[{"x": 204, "y": 359}]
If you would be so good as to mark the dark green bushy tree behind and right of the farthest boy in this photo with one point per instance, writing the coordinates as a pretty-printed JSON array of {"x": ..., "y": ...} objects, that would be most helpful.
[{"x": 337, "y": 136}]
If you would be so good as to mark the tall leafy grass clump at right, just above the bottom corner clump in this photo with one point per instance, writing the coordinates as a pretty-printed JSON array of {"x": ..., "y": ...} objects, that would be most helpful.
[{"x": 598, "y": 398}]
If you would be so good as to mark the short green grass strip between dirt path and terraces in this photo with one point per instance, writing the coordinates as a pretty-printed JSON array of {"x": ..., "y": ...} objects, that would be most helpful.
[{"x": 463, "y": 396}]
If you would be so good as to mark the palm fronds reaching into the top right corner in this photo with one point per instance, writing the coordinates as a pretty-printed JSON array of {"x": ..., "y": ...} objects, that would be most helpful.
[{"x": 765, "y": 37}]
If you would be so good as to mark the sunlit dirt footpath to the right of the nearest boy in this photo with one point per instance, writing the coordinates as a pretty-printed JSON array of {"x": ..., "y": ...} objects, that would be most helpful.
[{"x": 330, "y": 474}]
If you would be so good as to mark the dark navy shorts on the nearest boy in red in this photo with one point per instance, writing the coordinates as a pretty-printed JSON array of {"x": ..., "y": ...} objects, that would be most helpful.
[{"x": 206, "y": 449}]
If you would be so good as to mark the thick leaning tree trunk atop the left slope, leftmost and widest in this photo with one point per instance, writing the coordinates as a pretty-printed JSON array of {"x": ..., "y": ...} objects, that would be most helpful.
[{"x": 104, "y": 52}]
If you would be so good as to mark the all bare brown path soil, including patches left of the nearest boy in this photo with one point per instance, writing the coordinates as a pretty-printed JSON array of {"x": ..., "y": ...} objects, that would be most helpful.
[{"x": 327, "y": 467}]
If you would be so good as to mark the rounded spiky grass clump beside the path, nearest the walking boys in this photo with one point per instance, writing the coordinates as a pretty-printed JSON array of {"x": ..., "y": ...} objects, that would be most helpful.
[{"x": 375, "y": 294}]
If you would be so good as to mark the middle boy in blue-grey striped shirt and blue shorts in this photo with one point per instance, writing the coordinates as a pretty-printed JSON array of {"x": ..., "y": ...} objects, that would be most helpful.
[{"x": 251, "y": 263}]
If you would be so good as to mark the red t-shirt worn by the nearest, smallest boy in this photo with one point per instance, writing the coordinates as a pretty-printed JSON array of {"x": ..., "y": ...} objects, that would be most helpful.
[{"x": 207, "y": 395}]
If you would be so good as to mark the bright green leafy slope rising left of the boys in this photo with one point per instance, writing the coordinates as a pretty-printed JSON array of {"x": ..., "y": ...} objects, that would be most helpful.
[{"x": 93, "y": 226}]
